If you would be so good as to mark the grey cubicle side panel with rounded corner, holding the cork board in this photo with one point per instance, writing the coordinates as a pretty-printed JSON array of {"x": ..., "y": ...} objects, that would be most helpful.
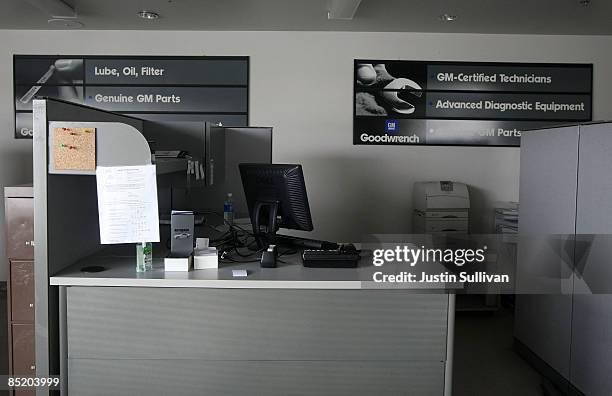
[{"x": 65, "y": 206}]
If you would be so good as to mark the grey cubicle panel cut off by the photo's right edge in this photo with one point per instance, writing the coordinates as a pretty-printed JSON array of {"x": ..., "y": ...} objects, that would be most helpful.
[{"x": 591, "y": 347}]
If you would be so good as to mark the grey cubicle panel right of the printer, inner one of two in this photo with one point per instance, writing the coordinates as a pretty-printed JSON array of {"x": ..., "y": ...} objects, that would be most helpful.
[{"x": 548, "y": 175}]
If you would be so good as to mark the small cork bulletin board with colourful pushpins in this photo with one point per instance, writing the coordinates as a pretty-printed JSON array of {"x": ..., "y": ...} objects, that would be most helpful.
[{"x": 74, "y": 149}]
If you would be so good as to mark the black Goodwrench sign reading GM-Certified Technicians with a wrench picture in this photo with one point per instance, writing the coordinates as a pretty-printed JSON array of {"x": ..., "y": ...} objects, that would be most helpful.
[{"x": 465, "y": 103}]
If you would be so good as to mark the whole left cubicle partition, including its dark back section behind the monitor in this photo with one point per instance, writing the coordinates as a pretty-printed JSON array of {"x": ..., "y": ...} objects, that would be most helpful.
[{"x": 66, "y": 212}]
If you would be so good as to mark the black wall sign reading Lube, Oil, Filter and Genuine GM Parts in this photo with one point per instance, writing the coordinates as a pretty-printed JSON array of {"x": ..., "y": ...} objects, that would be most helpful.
[{"x": 157, "y": 88}]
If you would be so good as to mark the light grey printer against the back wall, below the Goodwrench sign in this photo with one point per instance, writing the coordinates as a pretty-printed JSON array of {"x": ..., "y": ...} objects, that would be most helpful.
[{"x": 440, "y": 207}]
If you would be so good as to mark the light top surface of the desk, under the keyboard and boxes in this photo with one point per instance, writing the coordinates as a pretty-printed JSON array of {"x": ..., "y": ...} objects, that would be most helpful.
[{"x": 121, "y": 271}]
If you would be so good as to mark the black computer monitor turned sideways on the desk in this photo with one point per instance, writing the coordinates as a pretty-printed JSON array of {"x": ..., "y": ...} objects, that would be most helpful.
[{"x": 276, "y": 198}]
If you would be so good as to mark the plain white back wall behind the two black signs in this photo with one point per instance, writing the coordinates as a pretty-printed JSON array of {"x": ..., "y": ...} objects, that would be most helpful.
[{"x": 301, "y": 83}]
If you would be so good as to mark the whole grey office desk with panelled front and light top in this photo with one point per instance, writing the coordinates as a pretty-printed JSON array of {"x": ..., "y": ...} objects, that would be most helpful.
[{"x": 283, "y": 331}]
